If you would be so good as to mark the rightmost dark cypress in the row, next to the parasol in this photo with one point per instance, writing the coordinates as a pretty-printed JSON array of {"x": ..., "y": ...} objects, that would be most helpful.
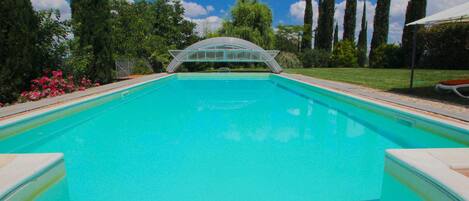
[{"x": 416, "y": 9}]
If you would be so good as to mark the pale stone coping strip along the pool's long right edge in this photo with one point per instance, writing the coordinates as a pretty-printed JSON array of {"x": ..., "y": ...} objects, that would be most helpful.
[{"x": 337, "y": 87}]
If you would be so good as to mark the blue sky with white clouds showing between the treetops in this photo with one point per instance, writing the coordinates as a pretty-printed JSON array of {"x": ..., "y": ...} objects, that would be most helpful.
[{"x": 209, "y": 14}]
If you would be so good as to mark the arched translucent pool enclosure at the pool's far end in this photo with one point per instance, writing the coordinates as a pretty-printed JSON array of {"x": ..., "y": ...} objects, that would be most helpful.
[{"x": 224, "y": 49}]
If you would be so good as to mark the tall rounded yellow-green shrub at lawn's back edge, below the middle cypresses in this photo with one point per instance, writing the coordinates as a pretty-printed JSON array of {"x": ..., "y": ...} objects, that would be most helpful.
[{"x": 344, "y": 55}]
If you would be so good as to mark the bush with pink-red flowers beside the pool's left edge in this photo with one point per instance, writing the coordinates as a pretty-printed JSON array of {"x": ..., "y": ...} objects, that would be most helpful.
[{"x": 53, "y": 84}]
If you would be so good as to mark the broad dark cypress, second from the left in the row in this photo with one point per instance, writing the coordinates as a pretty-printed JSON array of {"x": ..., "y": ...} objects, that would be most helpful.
[{"x": 326, "y": 25}]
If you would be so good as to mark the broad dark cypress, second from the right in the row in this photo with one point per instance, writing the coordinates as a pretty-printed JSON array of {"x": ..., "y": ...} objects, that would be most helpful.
[{"x": 381, "y": 28}]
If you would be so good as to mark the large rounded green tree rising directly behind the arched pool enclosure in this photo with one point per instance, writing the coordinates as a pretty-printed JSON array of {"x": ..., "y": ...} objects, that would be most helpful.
[{"x": 252, "y": 21}]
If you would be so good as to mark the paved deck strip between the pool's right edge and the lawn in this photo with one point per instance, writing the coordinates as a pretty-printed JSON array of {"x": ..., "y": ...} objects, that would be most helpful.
[{"x": 444, "y": 110}]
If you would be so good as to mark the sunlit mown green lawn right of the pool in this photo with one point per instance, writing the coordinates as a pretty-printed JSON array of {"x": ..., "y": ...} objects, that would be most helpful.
[{"x": 384, "y": 79}]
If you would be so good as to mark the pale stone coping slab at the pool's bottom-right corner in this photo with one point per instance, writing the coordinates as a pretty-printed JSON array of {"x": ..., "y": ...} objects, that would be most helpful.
[{"x": 436, "y": 167}]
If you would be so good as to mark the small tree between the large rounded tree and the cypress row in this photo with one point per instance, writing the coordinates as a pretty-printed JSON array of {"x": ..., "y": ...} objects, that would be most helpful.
[{"x": 288, "y": 38}]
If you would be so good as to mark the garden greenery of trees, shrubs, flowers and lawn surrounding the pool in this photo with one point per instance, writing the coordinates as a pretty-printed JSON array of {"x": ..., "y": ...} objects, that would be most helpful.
[{"x": 43, "y": 56}]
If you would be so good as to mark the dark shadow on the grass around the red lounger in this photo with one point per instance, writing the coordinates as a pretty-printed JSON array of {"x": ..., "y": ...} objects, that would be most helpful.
[{"x": 430, "y": 93}]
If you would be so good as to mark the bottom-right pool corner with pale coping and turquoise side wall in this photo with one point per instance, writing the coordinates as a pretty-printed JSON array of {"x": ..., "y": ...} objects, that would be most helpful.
[{"x": 433, "y": 174}]
